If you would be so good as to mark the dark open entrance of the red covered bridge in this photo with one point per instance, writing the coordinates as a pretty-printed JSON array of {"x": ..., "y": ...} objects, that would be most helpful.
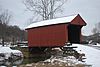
[{"x": 74, "y": 33}]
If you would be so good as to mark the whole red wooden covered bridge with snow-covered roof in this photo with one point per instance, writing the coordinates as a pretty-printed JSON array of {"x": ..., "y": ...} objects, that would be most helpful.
[{"x": 55, "y": 32}]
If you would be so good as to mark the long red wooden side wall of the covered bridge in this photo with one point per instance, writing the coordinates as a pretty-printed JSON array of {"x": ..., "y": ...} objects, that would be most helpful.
[{"x": 48, "y": 36}]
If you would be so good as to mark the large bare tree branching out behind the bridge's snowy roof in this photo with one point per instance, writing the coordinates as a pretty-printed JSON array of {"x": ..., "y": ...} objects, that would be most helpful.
[{"x": 44, "y": 8}]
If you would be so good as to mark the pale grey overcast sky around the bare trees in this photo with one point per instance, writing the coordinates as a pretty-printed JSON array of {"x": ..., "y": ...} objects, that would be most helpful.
[{"x": 88, "y": 9}]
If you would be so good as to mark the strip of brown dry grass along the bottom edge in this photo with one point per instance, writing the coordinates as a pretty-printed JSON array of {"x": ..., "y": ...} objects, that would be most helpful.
[{"x": 50, "y": 65}]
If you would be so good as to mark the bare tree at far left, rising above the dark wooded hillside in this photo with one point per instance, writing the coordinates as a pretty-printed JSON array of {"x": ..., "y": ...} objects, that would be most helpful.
[{"x": 5, "y": 18}]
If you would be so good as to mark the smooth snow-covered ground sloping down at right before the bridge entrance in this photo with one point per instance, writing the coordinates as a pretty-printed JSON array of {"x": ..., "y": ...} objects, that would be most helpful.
[{"x": 92, "y": 54}]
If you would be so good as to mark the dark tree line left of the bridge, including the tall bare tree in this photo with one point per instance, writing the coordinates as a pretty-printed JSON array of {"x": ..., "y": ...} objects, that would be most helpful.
[{"x": 9, "y": 33}]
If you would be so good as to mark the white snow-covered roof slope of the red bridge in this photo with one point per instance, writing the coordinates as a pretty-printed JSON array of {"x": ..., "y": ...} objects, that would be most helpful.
[{"x": 52, "y": 21}]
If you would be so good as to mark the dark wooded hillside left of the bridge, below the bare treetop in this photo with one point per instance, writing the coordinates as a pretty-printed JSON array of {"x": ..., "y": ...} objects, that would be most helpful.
[{"x": 12, "y": 34}]
